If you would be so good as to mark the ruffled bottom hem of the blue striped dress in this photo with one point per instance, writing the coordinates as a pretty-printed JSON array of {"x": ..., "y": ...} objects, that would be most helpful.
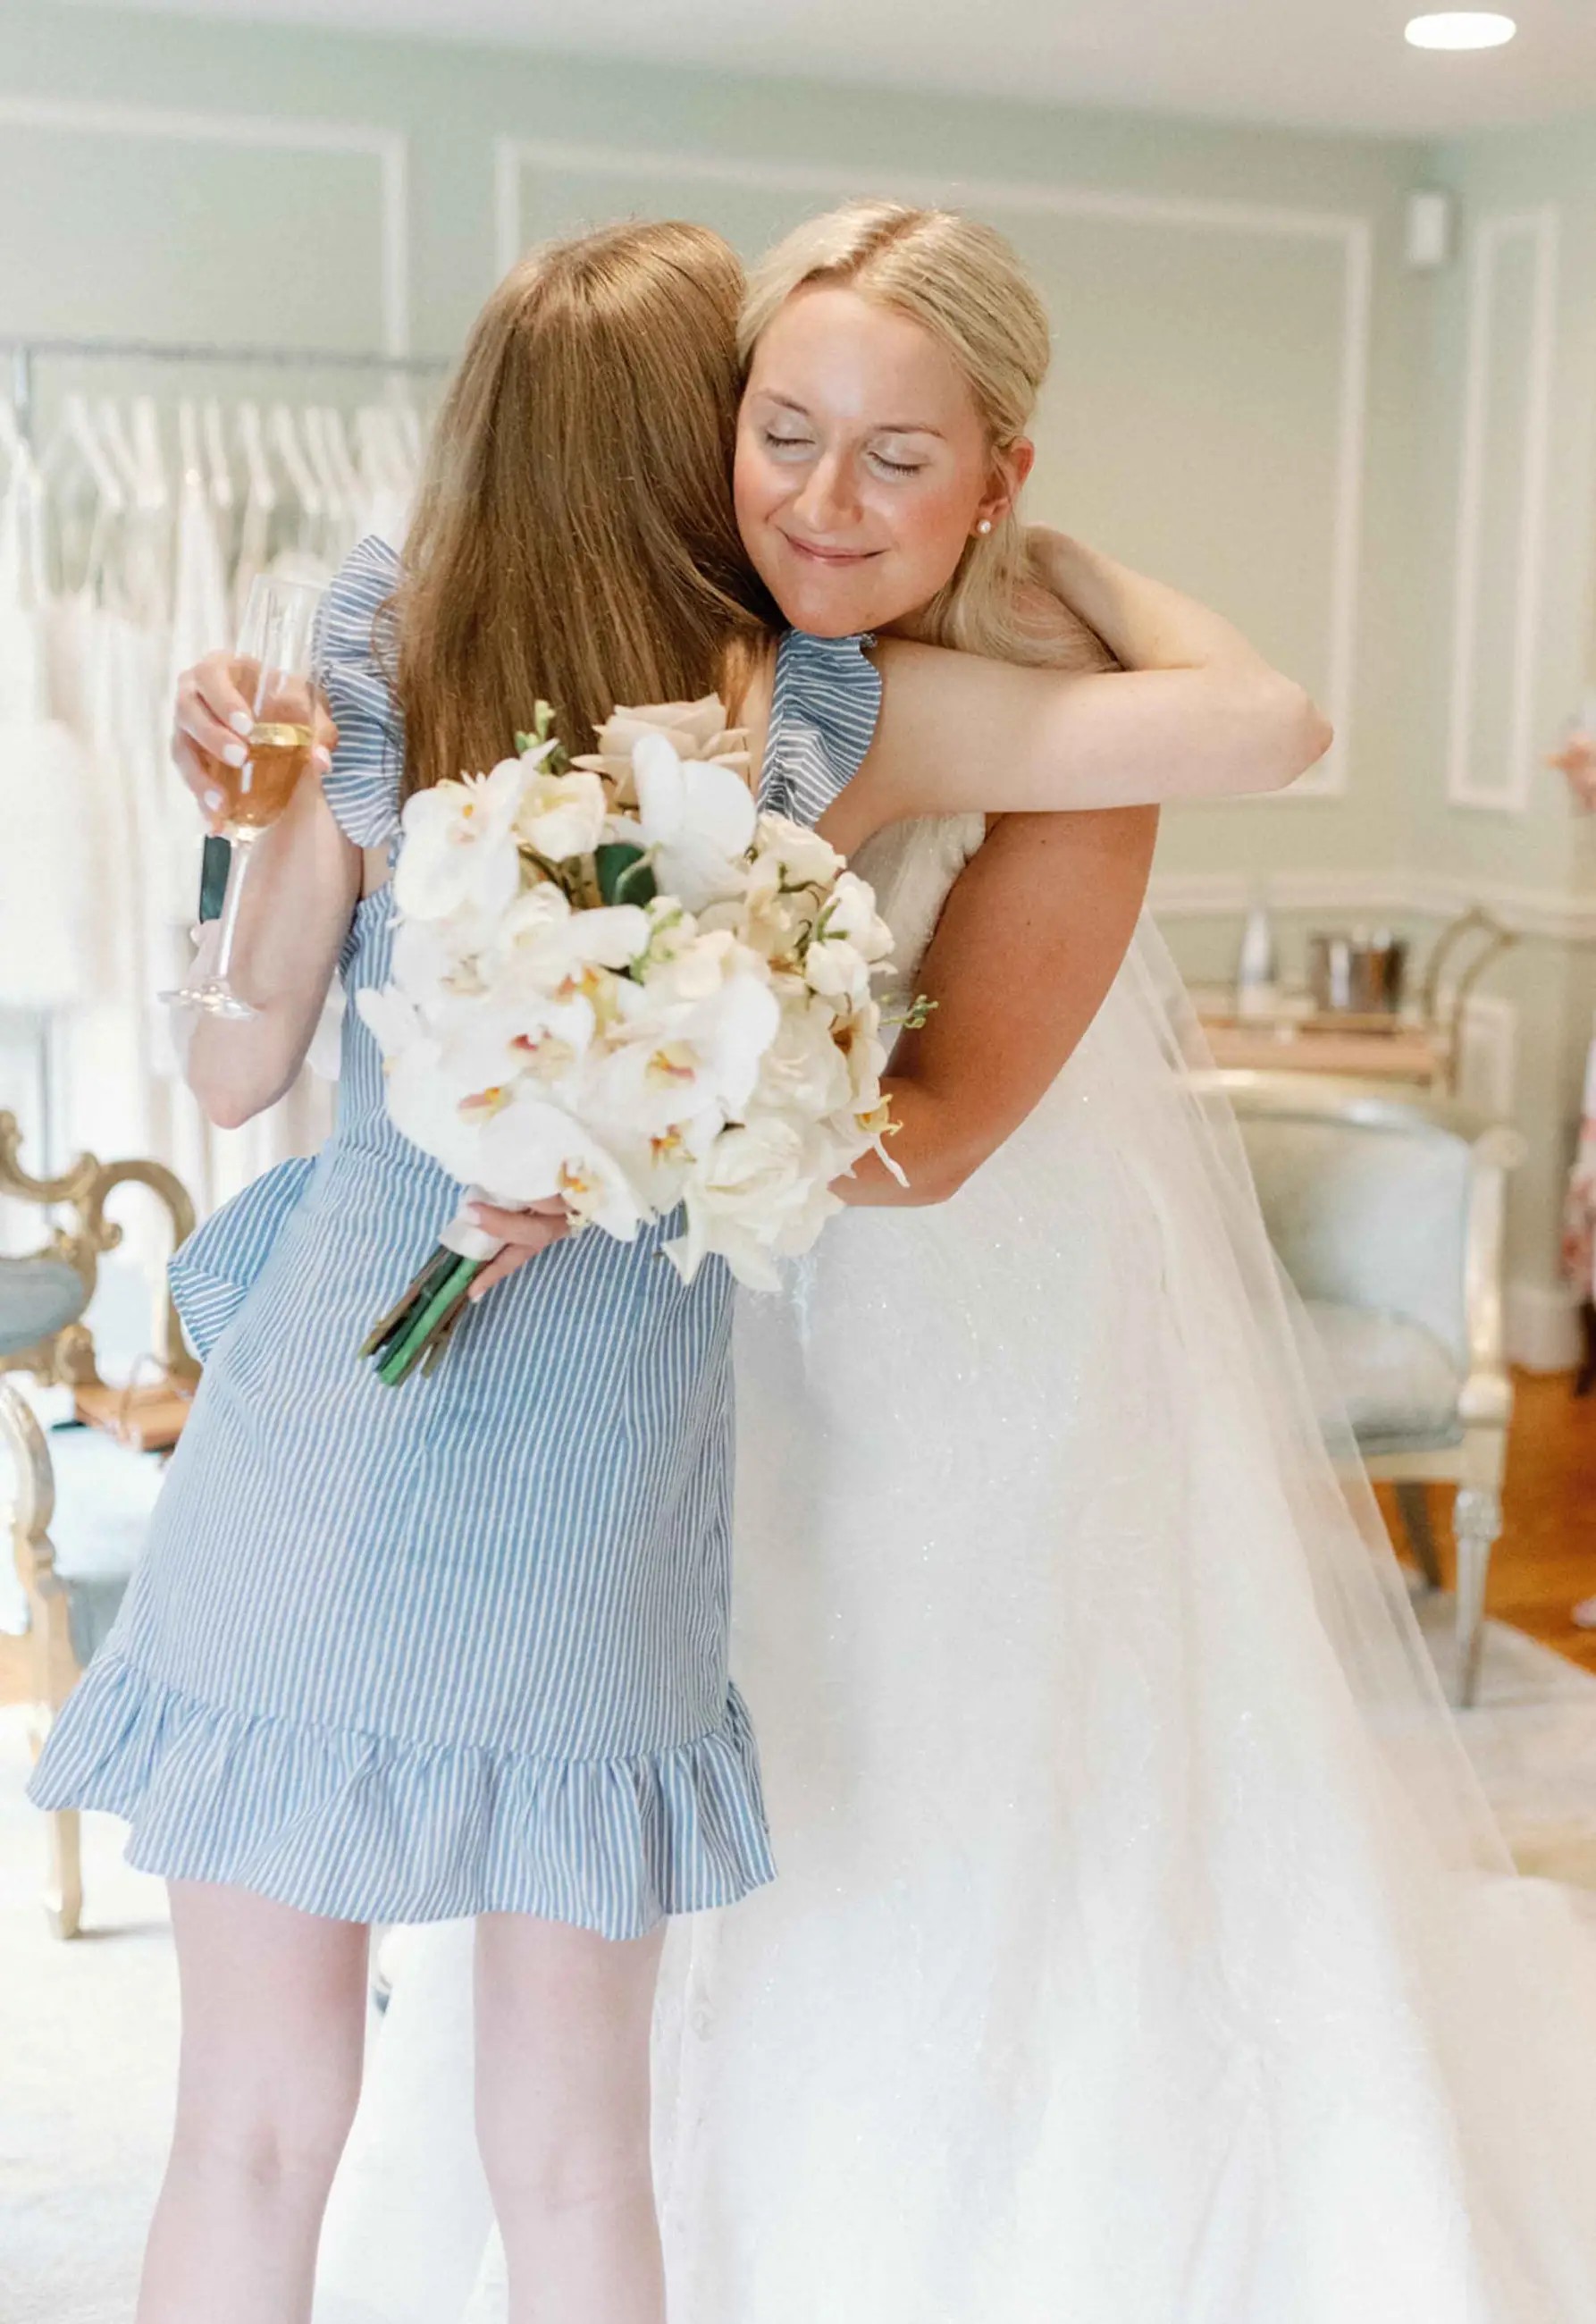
[{"x": 378, "y": 1830}]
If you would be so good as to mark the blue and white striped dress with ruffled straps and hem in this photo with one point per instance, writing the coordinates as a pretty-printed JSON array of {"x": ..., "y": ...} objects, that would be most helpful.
[{"x": 461, "y": 1647}]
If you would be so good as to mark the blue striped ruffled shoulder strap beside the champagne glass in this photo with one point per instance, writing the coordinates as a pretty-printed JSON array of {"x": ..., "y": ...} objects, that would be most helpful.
[{"x": 352, "y": 668}]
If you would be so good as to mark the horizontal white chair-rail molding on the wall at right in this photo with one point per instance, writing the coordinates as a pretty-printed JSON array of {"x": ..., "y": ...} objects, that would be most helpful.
[{"x": 1551, "y": 914}]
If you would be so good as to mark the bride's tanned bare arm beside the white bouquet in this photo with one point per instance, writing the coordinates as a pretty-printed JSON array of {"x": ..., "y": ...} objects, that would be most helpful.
[{"x": 1026, "y": 952}]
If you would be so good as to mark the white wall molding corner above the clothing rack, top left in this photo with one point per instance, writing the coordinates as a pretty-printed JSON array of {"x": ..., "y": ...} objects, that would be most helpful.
[{"x": 389, "y": 152}]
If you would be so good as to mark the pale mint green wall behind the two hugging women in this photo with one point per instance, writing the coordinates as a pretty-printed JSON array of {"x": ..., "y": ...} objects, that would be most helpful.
[{"x": 1200, "y": 282}]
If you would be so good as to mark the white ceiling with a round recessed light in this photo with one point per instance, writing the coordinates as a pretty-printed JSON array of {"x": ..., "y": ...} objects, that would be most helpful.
[{"x": 1332, "y": 64}]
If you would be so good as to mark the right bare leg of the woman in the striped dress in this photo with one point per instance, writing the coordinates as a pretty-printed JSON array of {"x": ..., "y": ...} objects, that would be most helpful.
[{"x": 563, "y": 2025}]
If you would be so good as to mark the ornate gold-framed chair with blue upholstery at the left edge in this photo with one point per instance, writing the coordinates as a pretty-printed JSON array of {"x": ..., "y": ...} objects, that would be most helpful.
[{"x": 76, "y": 1547}]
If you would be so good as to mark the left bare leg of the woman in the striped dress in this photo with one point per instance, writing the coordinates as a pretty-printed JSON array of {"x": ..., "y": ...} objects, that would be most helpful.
[{"x": 266, "y": 2093}]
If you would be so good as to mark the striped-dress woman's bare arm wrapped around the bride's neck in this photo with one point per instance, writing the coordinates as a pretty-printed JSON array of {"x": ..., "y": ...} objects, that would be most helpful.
[{"x": 1193, "y": 715}]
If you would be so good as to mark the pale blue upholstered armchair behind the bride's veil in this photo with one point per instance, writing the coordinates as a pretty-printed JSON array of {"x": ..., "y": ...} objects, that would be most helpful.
[{"x": 1386, "y": 1210}]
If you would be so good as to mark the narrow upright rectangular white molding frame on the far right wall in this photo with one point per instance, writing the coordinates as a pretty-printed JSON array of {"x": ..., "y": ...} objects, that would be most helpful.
[{"x": 1495, "y": 234}]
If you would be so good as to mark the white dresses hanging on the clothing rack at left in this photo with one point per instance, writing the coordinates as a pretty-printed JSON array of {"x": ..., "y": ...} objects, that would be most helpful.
[{"x": 150, "y": 508}]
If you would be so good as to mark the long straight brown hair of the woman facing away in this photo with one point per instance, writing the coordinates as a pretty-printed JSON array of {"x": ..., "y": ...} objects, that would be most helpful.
[{"x": 575, "y": 538}]
